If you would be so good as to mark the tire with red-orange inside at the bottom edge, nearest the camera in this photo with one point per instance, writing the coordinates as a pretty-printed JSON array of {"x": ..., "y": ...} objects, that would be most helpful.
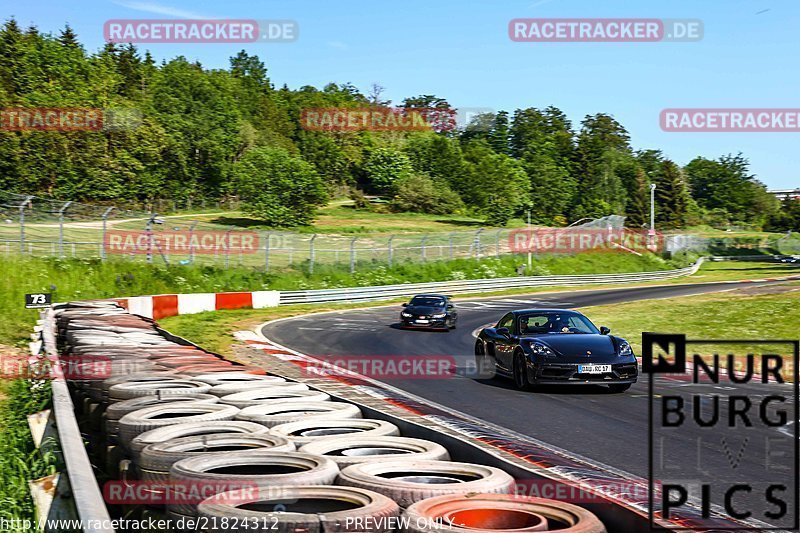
[{"x": 498, "y": 512}]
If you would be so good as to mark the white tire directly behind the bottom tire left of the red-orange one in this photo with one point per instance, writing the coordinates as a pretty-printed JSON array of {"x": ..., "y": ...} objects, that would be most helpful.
[{"x": 264, "y": 469}]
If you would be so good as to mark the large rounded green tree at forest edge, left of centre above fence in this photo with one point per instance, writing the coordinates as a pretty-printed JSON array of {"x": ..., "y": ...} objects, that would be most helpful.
[{"x": 277, "y": 187}]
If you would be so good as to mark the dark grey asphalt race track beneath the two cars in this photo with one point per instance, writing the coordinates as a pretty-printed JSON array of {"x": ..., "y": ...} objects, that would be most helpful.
[{"x": 610, "y": 429}]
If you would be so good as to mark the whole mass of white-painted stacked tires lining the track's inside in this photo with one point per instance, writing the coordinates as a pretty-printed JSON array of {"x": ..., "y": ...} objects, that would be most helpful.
[{"x": 224, "y": 447}]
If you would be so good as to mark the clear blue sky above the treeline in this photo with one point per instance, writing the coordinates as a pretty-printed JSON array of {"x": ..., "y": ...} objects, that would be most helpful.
[{"x": 460, "y": 50}]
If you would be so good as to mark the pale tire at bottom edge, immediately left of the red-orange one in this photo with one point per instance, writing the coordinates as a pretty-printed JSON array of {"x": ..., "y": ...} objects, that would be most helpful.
[{"x": 301, "y": 509}]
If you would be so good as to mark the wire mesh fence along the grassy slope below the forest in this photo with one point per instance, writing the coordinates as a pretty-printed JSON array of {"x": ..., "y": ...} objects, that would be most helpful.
[{"x": 42, "y": 227}]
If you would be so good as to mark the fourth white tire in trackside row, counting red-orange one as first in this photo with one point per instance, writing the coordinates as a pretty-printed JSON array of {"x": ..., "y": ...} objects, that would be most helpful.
[{"x": 307, "y": 431}]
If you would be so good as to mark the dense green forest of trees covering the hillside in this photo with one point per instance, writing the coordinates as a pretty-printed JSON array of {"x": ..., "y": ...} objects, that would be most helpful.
[{"x": 214, "y": 134}]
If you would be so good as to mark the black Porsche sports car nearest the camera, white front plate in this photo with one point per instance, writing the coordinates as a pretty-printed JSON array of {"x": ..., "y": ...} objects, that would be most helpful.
[{"x": 552, "y": 346}]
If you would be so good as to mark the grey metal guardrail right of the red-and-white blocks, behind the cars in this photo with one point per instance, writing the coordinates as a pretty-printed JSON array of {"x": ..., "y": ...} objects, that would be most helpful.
[{"x": 381, "y": 292}]
